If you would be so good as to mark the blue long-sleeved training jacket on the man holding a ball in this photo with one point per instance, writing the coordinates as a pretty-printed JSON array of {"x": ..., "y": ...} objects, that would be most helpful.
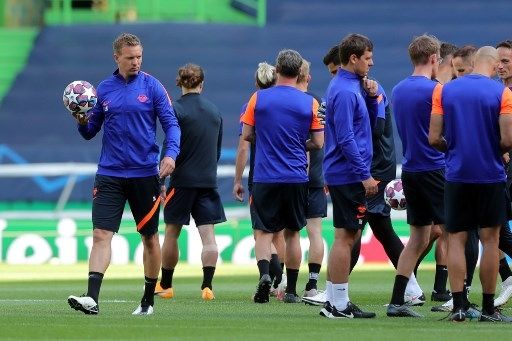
[{"x": 129, "y": 111}]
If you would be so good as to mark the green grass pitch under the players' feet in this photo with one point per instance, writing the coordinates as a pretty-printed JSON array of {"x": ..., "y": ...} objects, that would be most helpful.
[{"x": 33, "y": 306}]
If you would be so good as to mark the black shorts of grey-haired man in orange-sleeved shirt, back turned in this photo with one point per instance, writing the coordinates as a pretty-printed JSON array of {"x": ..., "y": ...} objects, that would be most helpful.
[{"x": 279, "y": 206}]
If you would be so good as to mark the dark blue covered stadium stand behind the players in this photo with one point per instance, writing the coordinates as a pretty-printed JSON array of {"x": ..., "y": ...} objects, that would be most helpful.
[{"x": 35, "y": 127}]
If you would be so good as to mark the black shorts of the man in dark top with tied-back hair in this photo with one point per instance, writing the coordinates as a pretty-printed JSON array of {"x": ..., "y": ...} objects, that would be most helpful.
[{"x": 203, "y": 204}]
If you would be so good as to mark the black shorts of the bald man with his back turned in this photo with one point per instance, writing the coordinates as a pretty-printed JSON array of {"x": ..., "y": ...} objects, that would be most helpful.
[{"x": 473, "y": 206}]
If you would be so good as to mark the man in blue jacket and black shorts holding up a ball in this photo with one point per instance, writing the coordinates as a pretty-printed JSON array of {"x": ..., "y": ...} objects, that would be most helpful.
[{"x": 129, "y": 103}]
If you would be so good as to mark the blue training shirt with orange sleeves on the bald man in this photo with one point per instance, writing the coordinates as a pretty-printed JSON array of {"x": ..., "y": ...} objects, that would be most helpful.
[{"x": 471, "y": 106}]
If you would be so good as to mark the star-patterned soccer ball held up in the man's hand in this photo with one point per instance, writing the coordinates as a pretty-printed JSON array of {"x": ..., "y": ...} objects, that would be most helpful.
[{"x": 79, "y": 97}]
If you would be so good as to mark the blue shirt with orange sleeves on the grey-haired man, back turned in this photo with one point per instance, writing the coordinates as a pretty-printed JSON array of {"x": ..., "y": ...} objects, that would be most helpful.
[{"x": 282, "y": 117}]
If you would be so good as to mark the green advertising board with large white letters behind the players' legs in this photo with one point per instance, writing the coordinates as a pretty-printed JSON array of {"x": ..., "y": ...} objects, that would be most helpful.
[{"x": 68, "y": 241}]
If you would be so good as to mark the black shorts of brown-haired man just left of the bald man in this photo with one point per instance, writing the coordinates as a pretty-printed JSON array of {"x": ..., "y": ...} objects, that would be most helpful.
[{"x": 424, "y": 193}]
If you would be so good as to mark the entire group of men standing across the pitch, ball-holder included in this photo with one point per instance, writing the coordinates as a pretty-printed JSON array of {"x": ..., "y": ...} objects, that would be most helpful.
[{"x": 291, "y": 164}]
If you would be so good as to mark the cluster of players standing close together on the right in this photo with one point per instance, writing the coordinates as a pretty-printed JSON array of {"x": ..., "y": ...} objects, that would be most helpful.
[{"x": 450, "y": 197}]
